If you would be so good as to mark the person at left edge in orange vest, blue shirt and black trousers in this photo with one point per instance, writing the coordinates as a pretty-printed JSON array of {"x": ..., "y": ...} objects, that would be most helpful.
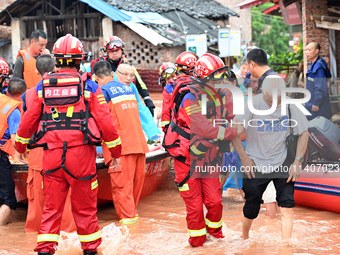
[{"x": 9, "y": 123}]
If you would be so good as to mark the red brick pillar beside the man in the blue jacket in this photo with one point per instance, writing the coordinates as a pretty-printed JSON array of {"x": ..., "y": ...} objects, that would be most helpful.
[{"x": 310, "y": 31}]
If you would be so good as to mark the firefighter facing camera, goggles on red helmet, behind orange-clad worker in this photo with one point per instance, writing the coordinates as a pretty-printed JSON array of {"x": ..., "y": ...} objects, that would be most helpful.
[{"x": 114, "y": 55}]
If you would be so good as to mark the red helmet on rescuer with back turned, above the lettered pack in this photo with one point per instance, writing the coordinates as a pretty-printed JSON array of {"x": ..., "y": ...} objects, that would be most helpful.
[{"x": 68, "y": 47}]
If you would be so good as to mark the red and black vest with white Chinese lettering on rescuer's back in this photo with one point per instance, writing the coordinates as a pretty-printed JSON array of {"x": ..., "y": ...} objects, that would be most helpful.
[{"x": 65, "y": 113}]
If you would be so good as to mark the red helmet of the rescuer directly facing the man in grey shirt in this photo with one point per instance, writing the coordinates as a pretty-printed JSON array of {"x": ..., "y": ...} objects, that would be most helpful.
[{"x": 211, "y": 67}]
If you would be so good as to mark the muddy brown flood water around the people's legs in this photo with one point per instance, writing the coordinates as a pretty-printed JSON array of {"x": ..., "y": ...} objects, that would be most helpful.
[{"x": 162, "y": 230}]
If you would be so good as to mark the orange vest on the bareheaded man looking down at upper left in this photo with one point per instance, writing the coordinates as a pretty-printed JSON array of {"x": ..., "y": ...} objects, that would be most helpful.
[{"x": 30, "y": 72}]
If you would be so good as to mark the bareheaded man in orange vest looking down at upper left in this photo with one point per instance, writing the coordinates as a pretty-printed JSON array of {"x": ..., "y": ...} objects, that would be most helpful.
[{"x": 25, "y": 64}]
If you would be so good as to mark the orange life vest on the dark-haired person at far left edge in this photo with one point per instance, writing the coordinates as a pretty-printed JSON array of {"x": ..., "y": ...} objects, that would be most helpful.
[{"x": 7, "y": 106}]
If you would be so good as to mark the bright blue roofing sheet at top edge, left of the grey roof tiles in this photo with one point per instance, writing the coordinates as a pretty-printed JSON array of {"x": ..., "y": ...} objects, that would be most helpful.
[{"x": 107, "y": 9}]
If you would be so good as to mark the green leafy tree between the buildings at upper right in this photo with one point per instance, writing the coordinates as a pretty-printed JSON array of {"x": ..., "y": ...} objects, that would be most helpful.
[{"x": 269, "y": 32}]
